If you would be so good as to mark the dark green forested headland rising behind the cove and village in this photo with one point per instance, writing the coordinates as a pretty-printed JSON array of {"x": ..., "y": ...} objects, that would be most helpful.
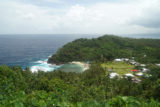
[{"x": 107, "y": 48}]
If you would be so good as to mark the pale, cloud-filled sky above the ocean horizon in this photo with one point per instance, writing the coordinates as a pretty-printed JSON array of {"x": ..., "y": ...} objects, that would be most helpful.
[{"x": 79, "y": 16}]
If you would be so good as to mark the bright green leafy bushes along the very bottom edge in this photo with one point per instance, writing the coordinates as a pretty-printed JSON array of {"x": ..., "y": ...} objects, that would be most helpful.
[{"x": 43, "y": 99}]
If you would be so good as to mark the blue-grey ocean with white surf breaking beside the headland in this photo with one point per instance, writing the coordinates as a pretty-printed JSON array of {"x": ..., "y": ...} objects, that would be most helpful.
[{"x": 33, "y": 50}]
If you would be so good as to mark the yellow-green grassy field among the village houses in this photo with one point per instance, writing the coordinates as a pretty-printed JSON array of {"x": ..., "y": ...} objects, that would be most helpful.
[{"x": 119, "y": 67}]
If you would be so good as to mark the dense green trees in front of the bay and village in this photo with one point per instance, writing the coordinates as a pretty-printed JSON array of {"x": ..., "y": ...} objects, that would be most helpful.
[{"x": 92, "y": 88}]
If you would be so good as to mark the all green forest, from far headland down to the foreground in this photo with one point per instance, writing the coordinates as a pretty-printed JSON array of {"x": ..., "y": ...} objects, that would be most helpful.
[{"x": 92, "y": 88}]
